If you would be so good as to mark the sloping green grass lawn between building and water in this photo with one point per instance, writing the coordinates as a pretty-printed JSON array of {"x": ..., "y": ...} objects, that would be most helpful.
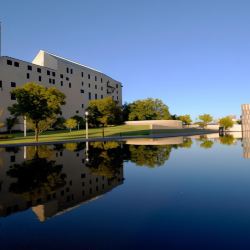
[{"x": 62, "y": 135}]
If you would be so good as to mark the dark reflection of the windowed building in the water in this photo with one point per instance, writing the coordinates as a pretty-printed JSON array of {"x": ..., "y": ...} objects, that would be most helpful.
[{"x": 55, "y": 179}]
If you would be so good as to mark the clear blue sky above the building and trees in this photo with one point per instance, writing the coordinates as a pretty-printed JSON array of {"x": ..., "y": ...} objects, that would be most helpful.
[{"x": 192, "y": 54}]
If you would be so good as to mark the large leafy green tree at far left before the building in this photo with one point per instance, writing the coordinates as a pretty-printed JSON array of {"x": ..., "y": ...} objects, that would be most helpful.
[{"x": 37, "y": 103}]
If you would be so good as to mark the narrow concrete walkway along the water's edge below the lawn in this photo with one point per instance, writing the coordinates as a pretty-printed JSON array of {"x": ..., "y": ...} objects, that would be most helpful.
[{"x": 113, "y": 138}]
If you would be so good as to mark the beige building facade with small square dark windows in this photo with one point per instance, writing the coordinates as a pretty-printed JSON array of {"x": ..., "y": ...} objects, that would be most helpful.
[{"x": 79, "y": 83}]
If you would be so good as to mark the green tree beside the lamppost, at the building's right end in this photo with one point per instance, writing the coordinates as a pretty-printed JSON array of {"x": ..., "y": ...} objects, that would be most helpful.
[{"x": 105, "y": 112}]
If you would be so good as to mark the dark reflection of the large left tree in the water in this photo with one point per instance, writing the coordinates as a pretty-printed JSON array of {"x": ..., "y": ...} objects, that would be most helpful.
[{"x": 36, "y": 176}]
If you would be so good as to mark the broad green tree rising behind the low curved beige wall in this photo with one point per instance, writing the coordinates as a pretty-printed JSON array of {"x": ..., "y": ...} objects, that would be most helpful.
[{"x": 148, "y": 109}]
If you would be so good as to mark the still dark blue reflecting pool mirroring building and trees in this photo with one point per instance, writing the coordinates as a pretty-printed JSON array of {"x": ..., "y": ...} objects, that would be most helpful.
[{"x": 176, "y": 193}]
